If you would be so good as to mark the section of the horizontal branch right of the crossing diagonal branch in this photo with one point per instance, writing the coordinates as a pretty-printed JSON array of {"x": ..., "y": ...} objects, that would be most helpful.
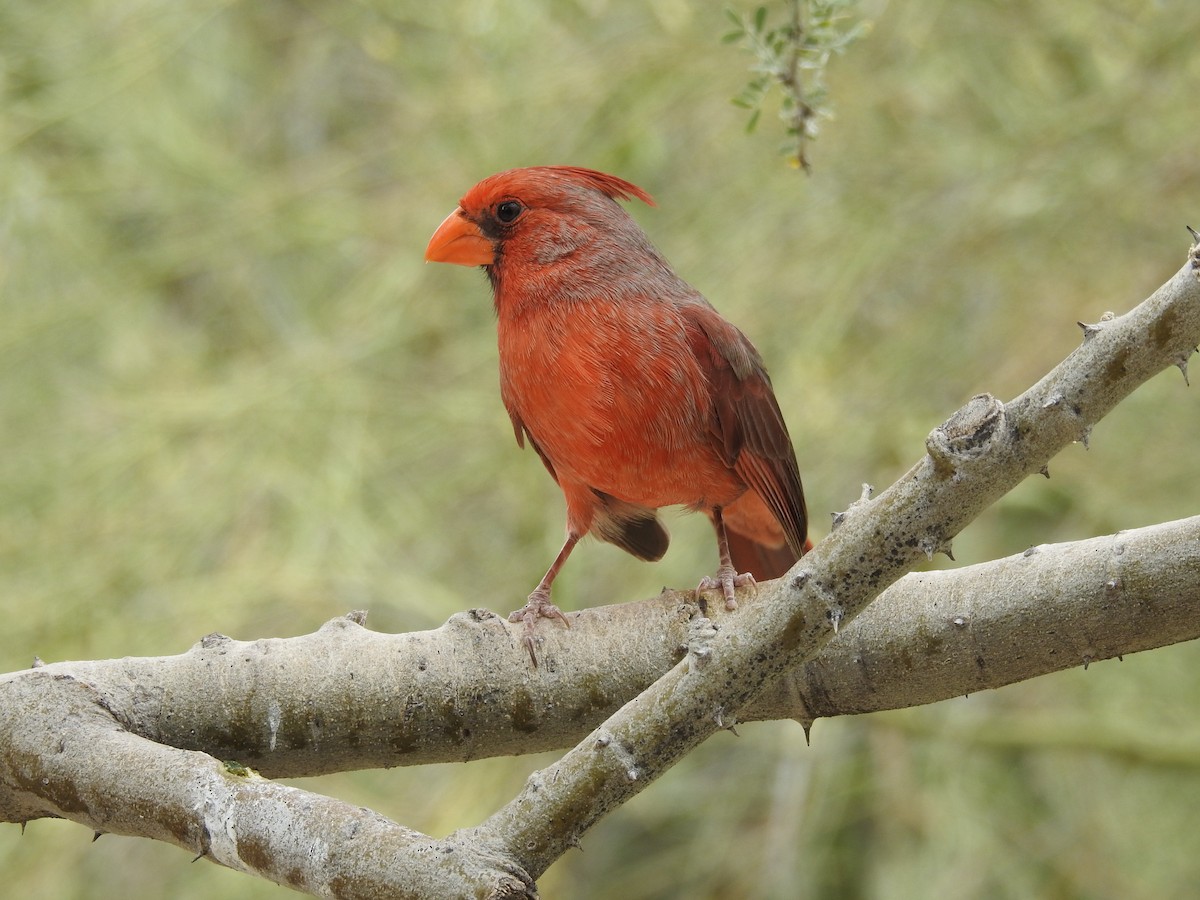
[{"x": 944, "y": 634}]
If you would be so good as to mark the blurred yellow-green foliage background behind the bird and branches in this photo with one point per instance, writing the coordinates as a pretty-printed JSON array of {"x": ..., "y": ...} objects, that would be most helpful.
[{"x": 235, "y": 399}]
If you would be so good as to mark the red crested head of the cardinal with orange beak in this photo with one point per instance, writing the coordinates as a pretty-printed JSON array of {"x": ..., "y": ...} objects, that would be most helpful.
[{"x": 536, "y": 217}]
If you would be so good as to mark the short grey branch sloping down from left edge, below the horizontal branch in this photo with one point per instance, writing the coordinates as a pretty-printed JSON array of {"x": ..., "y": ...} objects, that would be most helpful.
[{"x": 65, "y": 754}]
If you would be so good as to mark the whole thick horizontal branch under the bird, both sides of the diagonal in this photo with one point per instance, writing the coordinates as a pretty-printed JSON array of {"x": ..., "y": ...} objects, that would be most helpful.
[{"x": 349, "y": 699}]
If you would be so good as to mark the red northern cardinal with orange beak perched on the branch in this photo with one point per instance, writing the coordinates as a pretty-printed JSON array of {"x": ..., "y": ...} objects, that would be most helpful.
[{"x": 634, "y": 391}]
